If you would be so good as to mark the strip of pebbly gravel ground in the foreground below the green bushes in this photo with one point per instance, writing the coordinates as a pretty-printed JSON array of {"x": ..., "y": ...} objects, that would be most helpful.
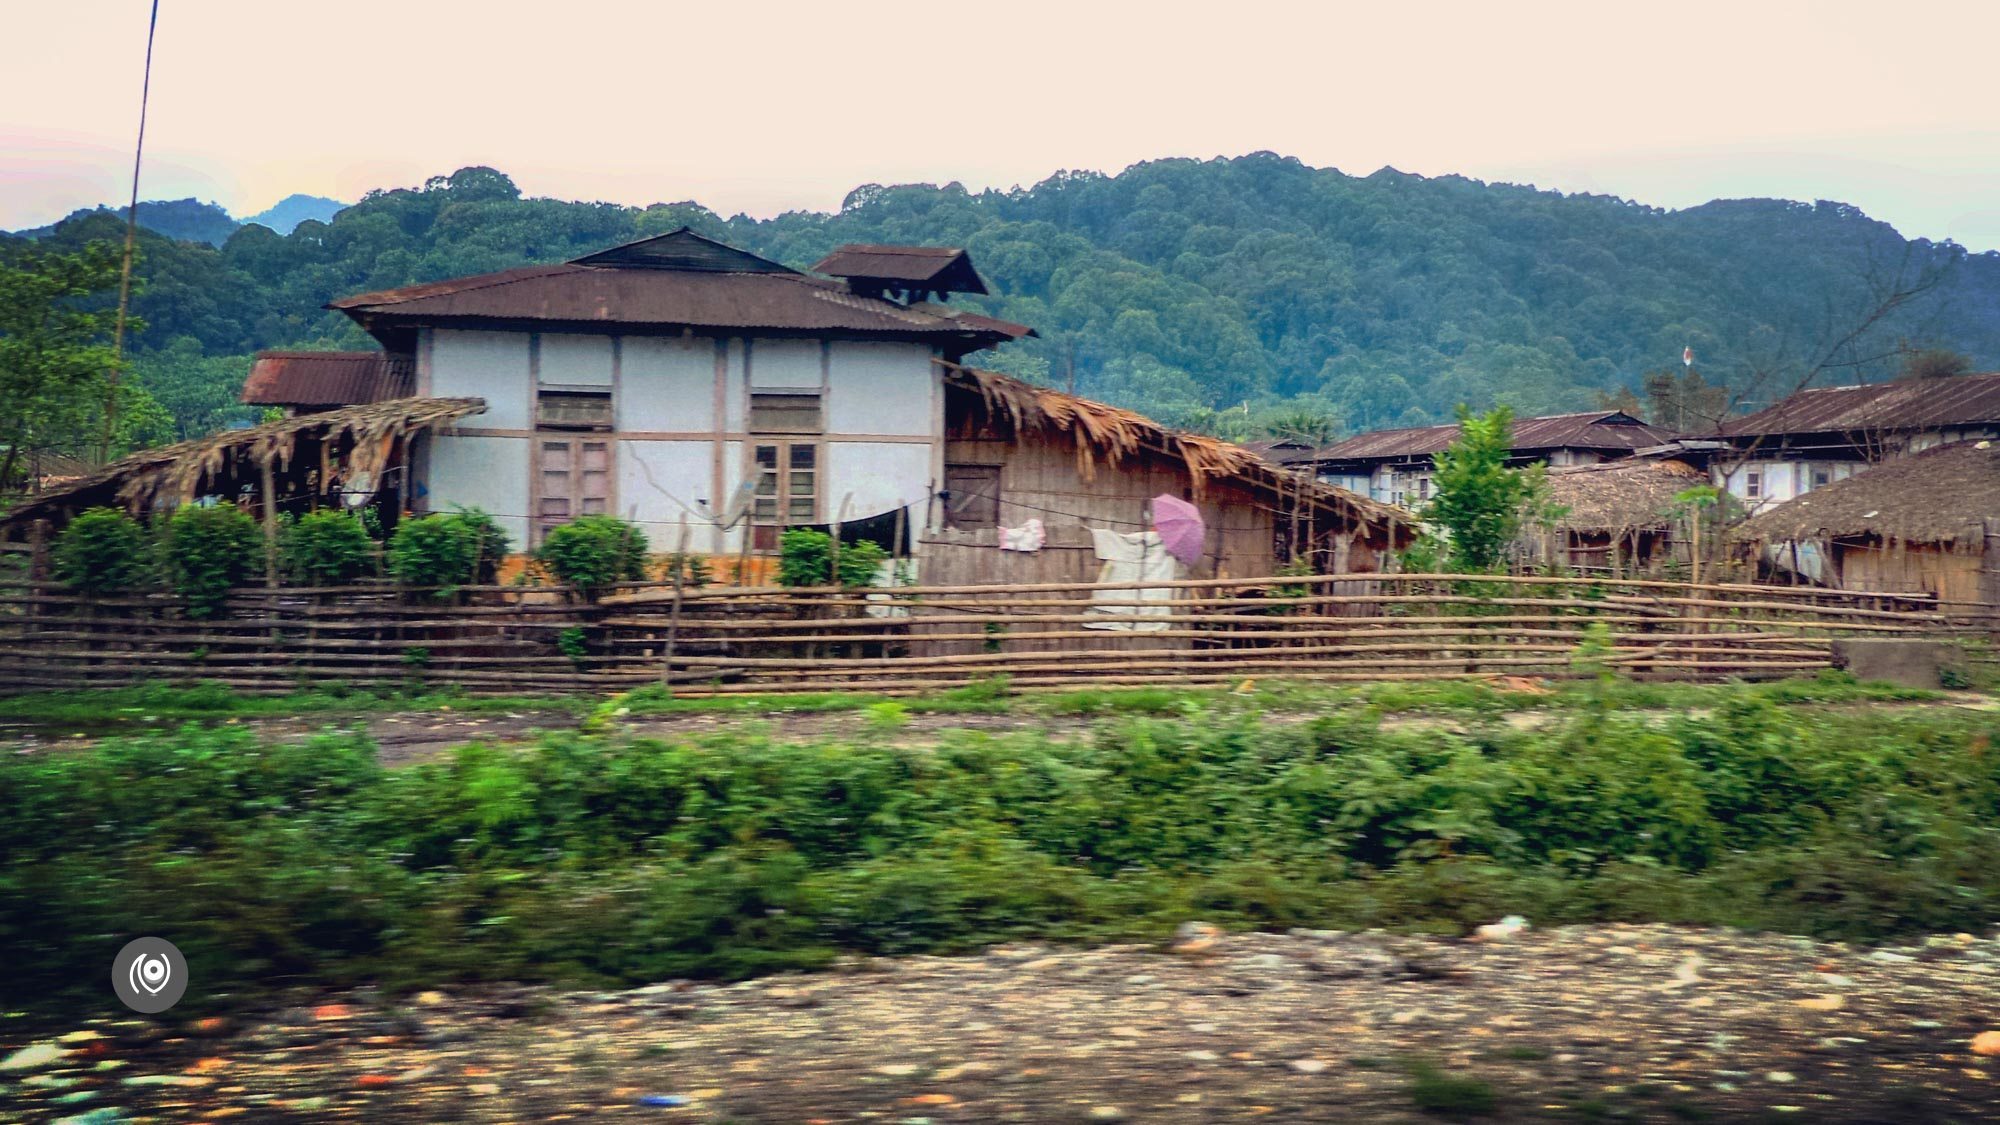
[{"x": 1583, "y": 1024}]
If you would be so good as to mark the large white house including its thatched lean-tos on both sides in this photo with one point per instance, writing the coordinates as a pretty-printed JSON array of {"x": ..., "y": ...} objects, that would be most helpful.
[{"x": 721, "y": 399}]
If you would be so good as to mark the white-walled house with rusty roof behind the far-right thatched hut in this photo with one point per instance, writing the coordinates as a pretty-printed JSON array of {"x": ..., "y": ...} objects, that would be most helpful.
[{"x": 1823, "y": 435}]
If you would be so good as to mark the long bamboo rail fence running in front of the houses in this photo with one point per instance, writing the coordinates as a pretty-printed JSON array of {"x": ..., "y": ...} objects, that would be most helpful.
[{"x": 907, "y": 640}]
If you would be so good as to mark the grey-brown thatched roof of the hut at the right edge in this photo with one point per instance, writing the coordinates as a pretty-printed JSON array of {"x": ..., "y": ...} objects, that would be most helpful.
[{"x": 1939, "y": 495}]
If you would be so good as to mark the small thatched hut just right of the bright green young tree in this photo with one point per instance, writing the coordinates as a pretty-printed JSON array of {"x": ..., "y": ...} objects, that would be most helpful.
[{"x": 1617, "y": 517}]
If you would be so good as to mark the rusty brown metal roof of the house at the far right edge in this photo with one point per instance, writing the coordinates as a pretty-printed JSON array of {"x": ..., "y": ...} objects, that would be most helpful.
[{"x": 1903, "y": 405}]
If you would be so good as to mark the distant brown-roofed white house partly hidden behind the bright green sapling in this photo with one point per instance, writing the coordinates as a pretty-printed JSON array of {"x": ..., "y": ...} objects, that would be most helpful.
[{"x": 1395, "y": 467}]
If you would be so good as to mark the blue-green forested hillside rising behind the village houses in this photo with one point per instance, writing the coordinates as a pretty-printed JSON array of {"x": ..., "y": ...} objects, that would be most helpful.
[{"x": 1181, "y": 287}]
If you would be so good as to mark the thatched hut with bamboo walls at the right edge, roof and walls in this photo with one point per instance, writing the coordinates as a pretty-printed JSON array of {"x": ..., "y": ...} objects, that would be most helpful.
[{"x": 1907, "y": 525}]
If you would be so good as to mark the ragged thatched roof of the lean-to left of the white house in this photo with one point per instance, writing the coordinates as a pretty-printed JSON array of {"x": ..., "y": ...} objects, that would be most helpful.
[{"x": 181, "y": 473}]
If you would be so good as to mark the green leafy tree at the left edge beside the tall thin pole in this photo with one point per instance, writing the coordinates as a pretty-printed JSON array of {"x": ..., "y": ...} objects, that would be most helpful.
[{"x": 55, "y": 349}]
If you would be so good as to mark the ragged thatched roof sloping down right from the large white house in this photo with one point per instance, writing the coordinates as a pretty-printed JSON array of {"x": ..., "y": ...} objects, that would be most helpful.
[{"x": 1109, "y": 435}]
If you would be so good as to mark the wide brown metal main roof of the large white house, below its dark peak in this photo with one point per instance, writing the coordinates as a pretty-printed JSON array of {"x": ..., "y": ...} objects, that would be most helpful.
[{"x": 667, "y": 297}]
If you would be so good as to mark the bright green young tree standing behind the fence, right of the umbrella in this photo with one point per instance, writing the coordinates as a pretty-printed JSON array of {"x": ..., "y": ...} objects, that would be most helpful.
[{"x": 1481, "y": 503}]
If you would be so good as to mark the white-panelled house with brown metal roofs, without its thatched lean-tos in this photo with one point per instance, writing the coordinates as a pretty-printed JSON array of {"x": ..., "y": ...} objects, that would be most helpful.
[{"x": 669, "y": 381}]
